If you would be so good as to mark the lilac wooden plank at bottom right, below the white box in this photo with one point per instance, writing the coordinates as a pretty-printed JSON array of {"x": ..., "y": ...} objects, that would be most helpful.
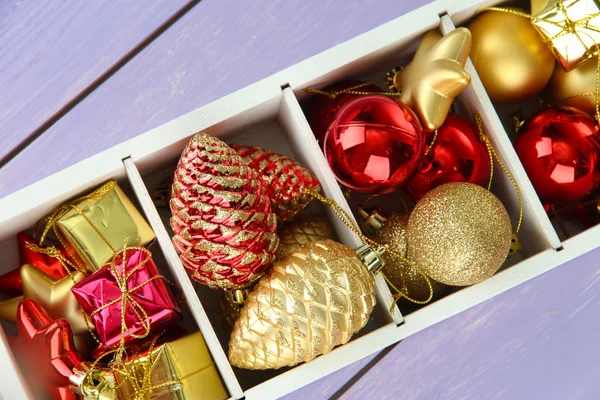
[{"x": 536, "y": 341}]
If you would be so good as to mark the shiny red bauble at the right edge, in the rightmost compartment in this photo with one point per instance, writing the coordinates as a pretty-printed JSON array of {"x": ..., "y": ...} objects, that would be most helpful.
[{"x": 558, "y": 148}]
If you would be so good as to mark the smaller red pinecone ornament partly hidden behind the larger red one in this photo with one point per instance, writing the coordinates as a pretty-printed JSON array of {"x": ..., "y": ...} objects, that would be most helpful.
[{"x": 285, "y": 180}]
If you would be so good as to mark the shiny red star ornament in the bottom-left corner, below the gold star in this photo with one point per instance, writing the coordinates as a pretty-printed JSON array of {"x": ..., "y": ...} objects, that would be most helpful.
[{"x": 45, "y": 352}]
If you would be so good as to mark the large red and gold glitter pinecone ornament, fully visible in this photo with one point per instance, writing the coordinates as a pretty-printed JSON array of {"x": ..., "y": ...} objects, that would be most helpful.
[{"x": 224, "y": 229}]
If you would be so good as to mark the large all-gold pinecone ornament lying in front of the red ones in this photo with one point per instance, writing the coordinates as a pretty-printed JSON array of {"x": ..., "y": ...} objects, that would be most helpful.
[{"x": 309, "y": 302}]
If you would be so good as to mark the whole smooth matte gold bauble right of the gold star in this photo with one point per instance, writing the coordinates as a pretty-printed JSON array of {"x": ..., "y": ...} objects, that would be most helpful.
[{"x": 510, "y": 57}]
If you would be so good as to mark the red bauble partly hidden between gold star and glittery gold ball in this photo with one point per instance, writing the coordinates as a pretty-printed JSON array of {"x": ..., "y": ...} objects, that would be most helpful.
[{"x": 457, "y": 155}]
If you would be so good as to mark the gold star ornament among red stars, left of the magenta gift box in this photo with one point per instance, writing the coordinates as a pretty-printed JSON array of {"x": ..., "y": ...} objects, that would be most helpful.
[{"x": 54, "y": 296}]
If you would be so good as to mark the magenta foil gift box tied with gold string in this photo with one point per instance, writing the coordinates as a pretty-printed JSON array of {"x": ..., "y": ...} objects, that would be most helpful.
[{"x": 128, "y": 297}]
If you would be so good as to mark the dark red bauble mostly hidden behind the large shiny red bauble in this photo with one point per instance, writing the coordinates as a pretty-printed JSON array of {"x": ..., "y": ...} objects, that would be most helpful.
[{"x": 322, "y": 109}]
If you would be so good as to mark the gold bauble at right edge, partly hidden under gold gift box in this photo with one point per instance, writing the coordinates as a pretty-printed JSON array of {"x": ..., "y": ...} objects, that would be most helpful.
[{"x": 576, "y": 88}]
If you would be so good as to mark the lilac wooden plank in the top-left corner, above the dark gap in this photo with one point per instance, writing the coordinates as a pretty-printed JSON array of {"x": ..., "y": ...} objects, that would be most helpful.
[{"x": 53, "y": 50}]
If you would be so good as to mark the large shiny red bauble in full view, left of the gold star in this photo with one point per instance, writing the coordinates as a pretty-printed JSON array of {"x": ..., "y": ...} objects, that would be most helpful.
[{"x": 375, "y": 144}]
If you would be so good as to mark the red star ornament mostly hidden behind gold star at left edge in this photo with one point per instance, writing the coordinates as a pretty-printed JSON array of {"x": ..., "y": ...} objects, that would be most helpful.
[{"x": 11, "y": 281}]
